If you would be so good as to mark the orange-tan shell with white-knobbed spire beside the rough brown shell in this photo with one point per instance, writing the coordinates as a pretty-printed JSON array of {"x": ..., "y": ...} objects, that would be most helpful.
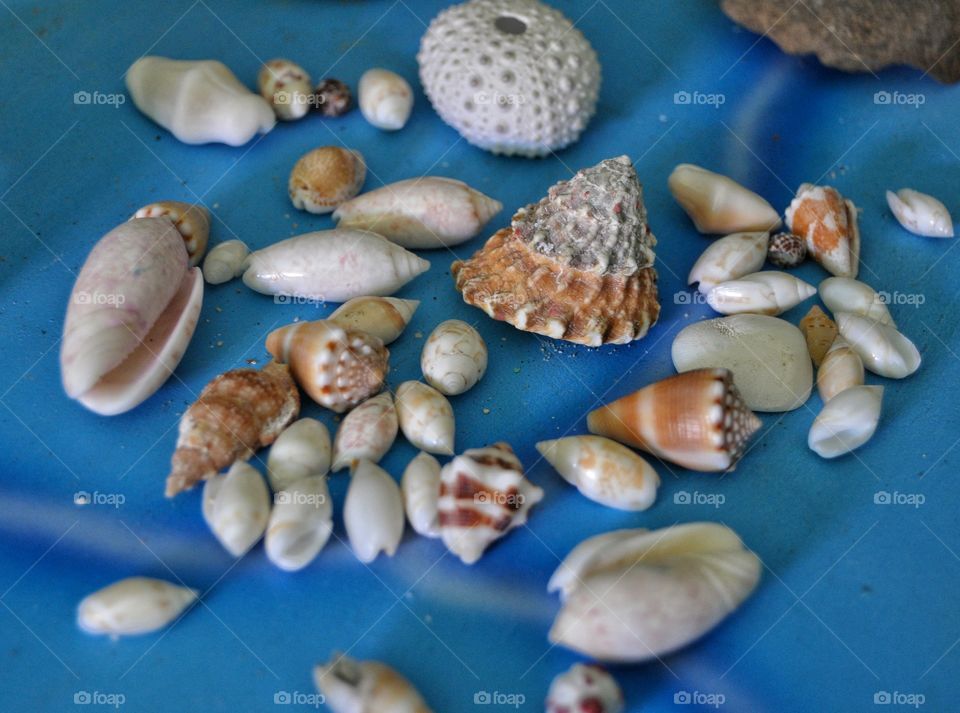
[{"x": 338, "y": 368}]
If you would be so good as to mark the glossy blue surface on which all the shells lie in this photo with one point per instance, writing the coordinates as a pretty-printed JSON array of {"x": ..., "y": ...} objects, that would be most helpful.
[{"x": 856, "y": 599}]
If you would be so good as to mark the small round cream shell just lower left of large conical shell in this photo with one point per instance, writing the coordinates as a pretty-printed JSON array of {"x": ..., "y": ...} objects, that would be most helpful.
[{"x": 454, "y": 357}]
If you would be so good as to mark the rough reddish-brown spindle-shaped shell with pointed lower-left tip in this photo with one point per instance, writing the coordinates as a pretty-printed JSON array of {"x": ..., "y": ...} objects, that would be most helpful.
[{"x": 235, "y": 414}]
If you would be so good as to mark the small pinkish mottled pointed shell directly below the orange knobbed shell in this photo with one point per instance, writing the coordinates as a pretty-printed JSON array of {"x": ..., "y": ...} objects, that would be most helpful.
[{"x": 366, "y": 433}]
